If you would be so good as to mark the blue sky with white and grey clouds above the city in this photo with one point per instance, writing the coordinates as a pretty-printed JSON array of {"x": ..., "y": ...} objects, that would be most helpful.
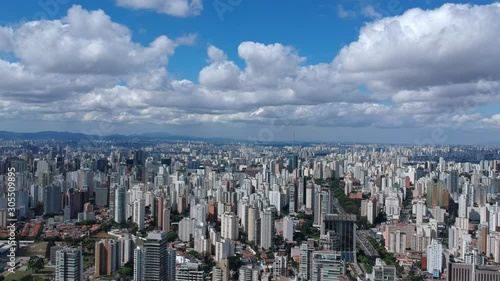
[{"x": 330, "y": 70}]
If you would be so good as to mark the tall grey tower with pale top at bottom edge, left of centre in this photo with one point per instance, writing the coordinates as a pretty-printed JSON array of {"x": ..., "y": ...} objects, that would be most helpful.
[{"x": 155, "y": 256}]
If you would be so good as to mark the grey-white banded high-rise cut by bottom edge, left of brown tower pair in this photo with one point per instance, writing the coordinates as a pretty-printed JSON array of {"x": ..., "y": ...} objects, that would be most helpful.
[{"x": 69, "y": 264}]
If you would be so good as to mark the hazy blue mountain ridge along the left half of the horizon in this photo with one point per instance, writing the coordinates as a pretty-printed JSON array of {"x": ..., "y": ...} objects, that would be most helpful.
[{"x": 68, "y": 136}]
